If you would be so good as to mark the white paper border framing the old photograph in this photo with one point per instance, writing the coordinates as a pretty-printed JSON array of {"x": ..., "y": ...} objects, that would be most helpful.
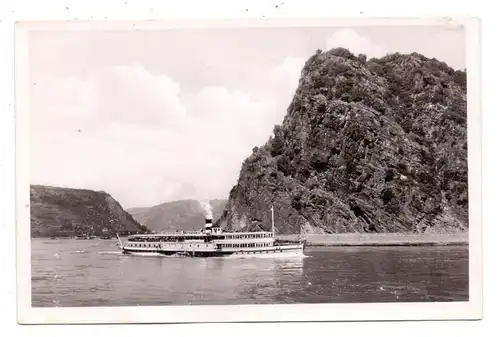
[{"x": 26, "y": 314}]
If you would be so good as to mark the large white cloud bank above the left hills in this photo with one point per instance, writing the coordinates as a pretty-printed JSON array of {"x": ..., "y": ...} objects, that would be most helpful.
[{"x": 127, "y": 131}]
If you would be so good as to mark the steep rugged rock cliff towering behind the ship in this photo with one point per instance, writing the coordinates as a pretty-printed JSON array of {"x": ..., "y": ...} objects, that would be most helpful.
[{"x": 366, "y": 146}]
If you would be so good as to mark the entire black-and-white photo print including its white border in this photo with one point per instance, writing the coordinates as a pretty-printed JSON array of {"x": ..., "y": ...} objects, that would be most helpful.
[{"x": 247, "y": 167}]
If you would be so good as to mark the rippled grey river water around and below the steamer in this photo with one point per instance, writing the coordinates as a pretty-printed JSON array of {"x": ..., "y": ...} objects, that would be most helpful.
[{"x": 76, "y": 273}]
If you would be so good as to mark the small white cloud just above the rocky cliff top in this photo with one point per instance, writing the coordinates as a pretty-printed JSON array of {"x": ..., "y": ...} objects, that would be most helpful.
[{"x": 355, "y": 43}]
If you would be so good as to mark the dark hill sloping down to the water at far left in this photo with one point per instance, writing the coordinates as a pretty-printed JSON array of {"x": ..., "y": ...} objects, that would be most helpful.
[{"x": 62, "y": 212}]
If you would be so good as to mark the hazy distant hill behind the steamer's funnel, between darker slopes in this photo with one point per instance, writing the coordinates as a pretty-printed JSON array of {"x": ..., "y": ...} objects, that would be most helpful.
[{"x": 176, "y": 215}]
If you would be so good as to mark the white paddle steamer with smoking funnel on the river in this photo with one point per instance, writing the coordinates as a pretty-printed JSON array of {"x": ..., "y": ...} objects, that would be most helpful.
[{"x": 212, "y": 241}]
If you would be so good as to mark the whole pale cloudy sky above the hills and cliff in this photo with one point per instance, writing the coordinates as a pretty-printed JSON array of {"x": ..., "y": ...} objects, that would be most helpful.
[{"x": 156, "y": 116}]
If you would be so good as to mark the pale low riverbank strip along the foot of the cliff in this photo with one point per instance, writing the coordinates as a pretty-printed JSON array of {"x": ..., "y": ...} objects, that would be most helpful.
[{"x": 380, "y": 239}]
